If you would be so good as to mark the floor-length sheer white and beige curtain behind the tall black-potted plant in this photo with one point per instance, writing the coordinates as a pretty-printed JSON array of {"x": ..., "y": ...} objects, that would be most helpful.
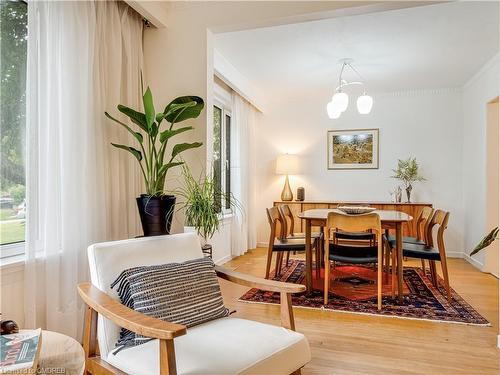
[{"x": 83, "y": 58}]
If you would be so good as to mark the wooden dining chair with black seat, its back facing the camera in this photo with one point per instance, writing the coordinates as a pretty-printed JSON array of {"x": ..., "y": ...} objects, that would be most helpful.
[{"x": 353, "y": 254}]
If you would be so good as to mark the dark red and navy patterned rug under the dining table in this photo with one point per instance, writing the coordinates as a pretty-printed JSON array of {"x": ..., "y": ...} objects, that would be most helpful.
[{"x": 353, "y": 289}]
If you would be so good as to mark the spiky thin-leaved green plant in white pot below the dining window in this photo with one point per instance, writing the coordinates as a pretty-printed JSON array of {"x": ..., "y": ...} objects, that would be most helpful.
[{"x": 201, "y": 201}]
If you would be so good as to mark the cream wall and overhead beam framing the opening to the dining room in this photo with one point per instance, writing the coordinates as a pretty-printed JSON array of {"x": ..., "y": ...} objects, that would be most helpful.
[{"x": 178, "y": 59}]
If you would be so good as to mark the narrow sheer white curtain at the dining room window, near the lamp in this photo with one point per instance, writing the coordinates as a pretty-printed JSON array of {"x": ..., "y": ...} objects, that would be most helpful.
[{"x": 244, "y": 121}]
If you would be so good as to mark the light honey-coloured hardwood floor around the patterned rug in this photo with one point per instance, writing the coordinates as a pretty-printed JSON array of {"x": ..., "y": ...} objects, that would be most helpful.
[{"x": 344, "y": 343}]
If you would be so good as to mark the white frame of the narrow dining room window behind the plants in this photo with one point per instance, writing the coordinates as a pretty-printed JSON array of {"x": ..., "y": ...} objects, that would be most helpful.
[{"x": 224, "y": 104}]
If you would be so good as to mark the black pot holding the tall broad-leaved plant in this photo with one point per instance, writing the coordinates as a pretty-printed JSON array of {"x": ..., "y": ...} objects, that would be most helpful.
[{"x": 156, "y": 213}]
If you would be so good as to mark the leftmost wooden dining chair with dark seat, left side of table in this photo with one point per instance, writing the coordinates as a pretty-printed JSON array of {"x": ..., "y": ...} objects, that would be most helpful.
[{"x": 279, "y": 243}]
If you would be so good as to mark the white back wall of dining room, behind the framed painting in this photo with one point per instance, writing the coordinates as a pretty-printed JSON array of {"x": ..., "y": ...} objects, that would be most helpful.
[{"x": 423, "y": 124}]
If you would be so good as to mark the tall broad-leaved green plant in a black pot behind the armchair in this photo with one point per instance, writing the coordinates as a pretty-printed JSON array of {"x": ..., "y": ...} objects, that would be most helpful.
[{"x": 155, "y": 207}]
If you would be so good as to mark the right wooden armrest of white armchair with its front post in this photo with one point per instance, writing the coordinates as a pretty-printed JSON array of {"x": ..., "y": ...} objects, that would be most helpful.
[{"x": 285, "y": 290}]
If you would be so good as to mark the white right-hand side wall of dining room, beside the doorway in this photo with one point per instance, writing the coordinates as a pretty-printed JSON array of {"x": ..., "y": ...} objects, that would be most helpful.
[{"x": 481, "y": 89}]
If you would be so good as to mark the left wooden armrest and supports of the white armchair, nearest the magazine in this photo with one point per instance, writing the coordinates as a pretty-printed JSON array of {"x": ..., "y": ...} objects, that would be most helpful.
[{"x": 99, "y": 302}]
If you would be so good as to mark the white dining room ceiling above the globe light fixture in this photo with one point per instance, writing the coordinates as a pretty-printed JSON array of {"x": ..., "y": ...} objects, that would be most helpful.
[{"x": 434, "y": 46}]
